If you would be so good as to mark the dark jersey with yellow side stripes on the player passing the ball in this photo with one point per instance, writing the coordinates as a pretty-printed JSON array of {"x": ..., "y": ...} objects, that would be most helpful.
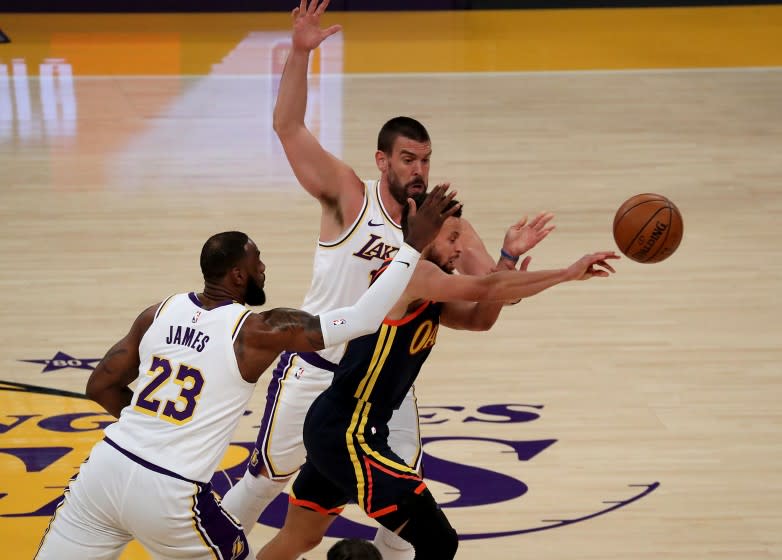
[{"x": 380, "y": 368}]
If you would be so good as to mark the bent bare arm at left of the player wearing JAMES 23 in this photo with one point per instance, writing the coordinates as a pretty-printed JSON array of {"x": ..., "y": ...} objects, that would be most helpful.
[{"x": 108, "y": 383}]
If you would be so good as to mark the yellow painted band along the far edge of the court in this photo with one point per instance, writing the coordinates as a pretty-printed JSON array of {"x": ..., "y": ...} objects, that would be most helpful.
[{"x": 470, "y": 41}]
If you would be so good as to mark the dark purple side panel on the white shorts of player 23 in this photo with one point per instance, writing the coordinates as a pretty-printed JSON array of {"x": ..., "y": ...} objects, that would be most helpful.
[{"x": 218, "y": 529}]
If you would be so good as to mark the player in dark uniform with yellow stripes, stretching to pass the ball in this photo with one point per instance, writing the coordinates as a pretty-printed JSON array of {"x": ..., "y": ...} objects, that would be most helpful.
[{"x": 346, "y": 429}]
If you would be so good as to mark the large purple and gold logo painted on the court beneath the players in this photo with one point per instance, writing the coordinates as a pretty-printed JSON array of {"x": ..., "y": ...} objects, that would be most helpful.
[{"x": 54, "y": 434}]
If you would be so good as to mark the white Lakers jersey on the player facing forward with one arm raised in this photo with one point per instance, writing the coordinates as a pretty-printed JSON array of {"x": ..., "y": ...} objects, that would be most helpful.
[{"x": 343, "y": 267}]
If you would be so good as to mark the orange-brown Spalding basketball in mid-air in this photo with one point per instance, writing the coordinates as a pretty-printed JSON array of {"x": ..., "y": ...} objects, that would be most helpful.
[{"x": 648, "y": 228}]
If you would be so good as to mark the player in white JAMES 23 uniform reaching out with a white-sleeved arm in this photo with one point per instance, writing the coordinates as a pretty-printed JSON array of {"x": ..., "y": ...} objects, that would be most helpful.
[{"x": 196, "y": 358}]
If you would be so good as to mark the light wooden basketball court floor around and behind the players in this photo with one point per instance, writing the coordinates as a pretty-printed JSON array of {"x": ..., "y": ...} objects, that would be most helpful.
[{"x": 633, "y": 417}]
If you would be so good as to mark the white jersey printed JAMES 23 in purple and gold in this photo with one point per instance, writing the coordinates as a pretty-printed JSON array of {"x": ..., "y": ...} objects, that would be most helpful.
[{"x": 190, "y": 394}]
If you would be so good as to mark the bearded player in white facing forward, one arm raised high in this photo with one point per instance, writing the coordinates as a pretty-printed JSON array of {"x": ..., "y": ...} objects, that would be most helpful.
[{"x": 359, "y": 228}]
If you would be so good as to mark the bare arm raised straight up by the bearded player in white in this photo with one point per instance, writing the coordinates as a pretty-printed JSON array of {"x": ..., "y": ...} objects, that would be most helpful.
[{"x": 324, "y": 176}]
